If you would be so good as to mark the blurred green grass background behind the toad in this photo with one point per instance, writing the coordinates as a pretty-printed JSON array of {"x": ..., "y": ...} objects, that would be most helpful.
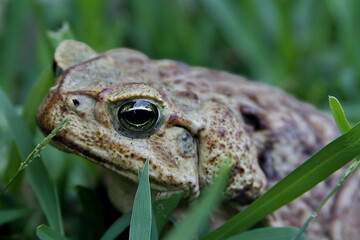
[{"x": 307, "y": 47}]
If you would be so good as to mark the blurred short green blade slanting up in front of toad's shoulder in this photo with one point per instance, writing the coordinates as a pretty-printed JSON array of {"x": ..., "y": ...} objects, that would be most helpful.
[{"x": 199, "y": 213}]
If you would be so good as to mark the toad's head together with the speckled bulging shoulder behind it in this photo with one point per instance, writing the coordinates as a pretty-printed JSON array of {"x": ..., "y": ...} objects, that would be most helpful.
[{"x": 121, "y": 115}]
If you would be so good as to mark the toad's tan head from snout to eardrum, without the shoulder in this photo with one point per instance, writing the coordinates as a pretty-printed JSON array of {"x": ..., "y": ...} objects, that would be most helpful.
[{"x": 118, "y": 116}]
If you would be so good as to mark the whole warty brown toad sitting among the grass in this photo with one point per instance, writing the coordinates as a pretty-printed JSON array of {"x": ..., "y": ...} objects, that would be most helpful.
[{"x": 125, "y": 109}]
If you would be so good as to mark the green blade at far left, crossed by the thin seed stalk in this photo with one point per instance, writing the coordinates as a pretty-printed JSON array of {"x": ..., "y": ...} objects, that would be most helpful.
[{"x": 43, "y": 186}]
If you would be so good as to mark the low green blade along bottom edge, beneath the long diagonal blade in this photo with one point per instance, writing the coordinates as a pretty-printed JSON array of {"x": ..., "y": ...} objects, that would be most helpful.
[{"x": 269, "y": 233}]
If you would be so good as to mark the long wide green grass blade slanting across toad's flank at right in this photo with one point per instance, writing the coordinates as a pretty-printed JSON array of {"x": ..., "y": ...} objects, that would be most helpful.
[{"x": 316, "y": 169}]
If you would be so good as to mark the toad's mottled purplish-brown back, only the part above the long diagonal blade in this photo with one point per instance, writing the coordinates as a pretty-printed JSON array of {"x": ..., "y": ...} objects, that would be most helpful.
[{"x": 285, "y": 131}]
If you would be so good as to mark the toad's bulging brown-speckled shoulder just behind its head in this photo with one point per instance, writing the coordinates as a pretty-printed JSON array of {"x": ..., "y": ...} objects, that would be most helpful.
[{"x": 222, "y": 135}]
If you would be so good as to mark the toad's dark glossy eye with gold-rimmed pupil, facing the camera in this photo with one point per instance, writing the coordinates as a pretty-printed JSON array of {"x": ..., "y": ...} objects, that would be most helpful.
[{"x": 138, "y": 118}]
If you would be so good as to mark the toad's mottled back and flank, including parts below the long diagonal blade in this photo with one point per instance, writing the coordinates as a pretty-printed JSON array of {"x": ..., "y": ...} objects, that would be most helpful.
[{"x": 285, "y": 131}]
